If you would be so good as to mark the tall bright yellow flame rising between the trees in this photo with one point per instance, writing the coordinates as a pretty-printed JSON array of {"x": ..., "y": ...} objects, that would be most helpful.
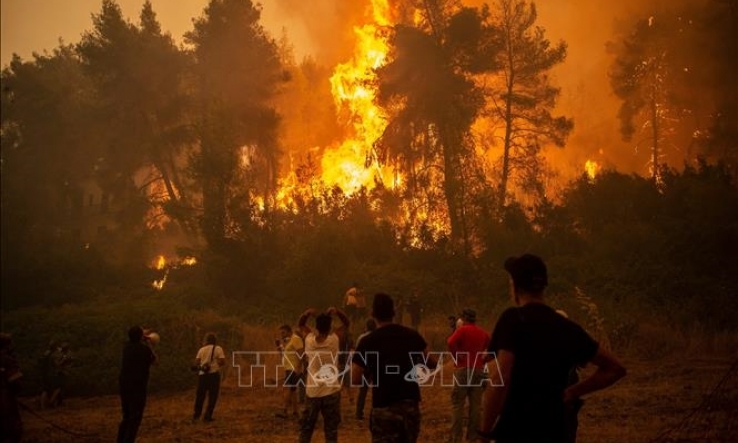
[{"x": 351, "y": 84}]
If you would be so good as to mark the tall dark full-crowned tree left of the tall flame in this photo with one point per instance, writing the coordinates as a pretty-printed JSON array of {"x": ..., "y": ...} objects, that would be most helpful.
[{"x": 237, "y": 73}]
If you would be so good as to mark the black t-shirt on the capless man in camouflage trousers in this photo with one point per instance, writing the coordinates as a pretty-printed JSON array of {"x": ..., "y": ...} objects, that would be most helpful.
[{"x": 388, "y": 355}]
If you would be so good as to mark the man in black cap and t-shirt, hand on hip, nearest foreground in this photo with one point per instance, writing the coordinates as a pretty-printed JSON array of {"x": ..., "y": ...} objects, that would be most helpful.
[{"x": 535, "y": 349}]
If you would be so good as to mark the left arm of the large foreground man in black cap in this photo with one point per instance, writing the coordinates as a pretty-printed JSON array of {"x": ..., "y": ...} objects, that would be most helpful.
[{"x": 496, "y": 395}]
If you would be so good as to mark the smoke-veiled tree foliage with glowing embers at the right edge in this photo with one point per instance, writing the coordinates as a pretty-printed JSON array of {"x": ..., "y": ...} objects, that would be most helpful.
[{"x": 675, "y": 72}]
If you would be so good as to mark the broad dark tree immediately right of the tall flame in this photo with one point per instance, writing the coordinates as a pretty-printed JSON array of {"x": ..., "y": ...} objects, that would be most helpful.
[{"x": 429, "y": 92}]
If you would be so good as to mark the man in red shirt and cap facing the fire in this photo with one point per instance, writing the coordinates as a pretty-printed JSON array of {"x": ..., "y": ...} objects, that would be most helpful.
[{"x": 468, "y": 346}]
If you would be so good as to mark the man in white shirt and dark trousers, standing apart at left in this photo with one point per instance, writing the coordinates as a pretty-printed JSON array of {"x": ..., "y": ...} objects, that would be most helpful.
[{"x": 210, "y": 359}]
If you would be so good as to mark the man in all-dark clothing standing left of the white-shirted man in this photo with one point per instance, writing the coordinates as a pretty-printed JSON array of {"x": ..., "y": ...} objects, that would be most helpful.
[{"x": 134, "y": 379}]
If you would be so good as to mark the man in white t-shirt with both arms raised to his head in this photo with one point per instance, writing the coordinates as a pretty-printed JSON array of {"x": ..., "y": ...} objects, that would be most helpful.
[{"x": 323, "y": 390}]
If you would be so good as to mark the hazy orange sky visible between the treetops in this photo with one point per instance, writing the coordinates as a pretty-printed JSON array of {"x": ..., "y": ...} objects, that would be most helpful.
[{"x": 323, "y": 28}]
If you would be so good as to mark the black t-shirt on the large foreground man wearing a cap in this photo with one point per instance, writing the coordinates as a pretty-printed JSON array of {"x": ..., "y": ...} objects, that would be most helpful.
[{"x": 546, "y": 347}]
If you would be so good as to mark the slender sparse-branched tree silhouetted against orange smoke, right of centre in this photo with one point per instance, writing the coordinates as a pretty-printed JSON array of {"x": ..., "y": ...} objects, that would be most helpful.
[{"x": 522, "y": 98}]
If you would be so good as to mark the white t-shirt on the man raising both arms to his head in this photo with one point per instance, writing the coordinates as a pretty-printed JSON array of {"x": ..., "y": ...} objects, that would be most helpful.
[{"x": 324, "y": 377}]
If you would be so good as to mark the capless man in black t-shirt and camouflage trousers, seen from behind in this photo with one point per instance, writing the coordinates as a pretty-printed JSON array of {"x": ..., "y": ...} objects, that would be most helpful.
[{"x": 388, "y": 357}]
